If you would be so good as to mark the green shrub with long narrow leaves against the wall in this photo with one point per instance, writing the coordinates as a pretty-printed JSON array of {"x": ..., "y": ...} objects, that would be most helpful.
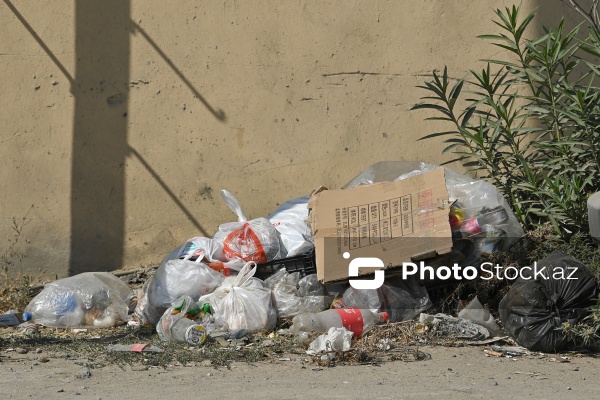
[{"x": 529, "y": 124}]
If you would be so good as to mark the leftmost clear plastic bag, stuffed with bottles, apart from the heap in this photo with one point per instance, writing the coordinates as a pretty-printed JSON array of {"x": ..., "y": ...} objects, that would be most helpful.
[{"x": 87, "y": 300}]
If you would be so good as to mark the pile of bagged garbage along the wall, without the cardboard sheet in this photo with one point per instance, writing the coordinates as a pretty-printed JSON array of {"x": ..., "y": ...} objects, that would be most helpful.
[{"x": 210, "y": 286}]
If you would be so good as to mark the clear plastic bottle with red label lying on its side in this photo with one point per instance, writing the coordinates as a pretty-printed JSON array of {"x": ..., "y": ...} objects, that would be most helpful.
[{"x": 354, "y": 319}]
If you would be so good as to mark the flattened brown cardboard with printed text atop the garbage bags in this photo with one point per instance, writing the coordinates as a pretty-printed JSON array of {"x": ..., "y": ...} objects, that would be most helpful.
[{"x": 394, "y": 221}]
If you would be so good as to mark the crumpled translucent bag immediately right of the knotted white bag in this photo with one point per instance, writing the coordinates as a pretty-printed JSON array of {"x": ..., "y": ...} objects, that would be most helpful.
[{"x": 293, "y": 295}]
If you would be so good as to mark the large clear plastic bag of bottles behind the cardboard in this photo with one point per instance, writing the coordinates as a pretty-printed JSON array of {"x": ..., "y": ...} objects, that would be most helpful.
[{"x": 474, "y": 198}]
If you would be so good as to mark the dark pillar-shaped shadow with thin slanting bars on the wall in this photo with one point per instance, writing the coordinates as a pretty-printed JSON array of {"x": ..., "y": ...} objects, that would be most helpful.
[{"x": 100, "y": 86}]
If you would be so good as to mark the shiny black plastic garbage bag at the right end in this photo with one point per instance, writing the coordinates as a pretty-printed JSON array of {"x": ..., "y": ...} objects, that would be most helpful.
[{"x": 534, "y": 310}]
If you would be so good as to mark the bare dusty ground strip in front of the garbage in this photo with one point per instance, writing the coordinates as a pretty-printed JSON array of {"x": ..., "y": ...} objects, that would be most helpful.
[{"x": 449, "y": 373}]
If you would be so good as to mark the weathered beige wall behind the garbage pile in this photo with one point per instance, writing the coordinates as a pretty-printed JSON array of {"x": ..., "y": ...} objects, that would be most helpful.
[{"x": 122, "y": 120}]
